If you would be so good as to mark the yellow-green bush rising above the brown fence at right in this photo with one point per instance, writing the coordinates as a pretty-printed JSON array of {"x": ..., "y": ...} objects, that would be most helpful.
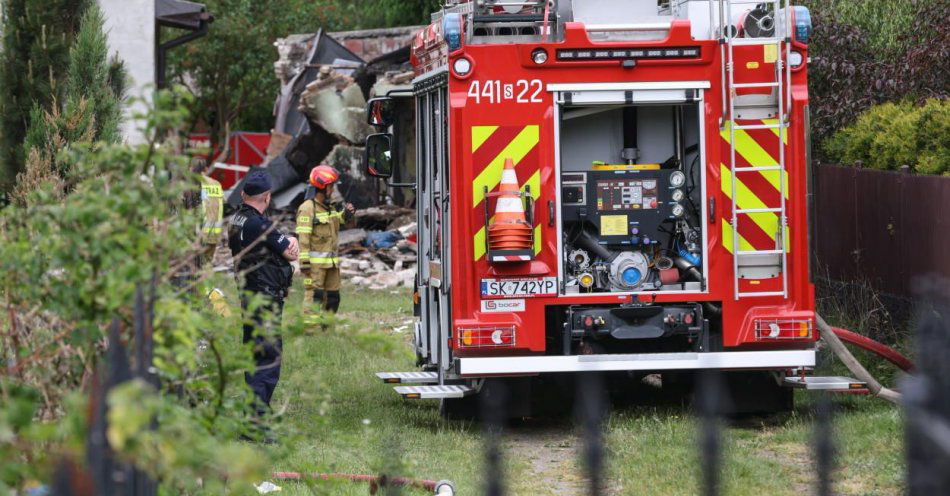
[{"x": 891, "y": 135}]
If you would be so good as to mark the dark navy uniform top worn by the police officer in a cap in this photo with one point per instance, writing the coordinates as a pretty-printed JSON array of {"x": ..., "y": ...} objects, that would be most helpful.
[{"x": 263, "y": 265}]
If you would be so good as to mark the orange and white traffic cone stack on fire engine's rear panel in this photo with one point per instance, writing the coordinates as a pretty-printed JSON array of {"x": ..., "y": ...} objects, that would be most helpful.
[{"x": 510, "y": 230}]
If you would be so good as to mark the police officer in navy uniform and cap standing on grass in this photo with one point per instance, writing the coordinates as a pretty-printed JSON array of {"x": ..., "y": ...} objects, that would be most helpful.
[{"x": 262, "y": 255}]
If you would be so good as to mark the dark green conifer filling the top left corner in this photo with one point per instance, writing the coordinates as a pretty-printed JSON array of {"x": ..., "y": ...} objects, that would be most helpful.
[{"x": 37, "y": 35}]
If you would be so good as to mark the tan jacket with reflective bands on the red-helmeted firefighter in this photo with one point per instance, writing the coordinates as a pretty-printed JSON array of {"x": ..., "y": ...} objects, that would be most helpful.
[{"x": 318, "y": 229}]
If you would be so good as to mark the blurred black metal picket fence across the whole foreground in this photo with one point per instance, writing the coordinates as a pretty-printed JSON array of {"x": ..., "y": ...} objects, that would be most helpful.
[{"x": 926, "y": 403}]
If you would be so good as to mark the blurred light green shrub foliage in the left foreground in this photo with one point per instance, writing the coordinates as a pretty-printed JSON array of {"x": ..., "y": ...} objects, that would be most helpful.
[{"x": 69, "y": 265}]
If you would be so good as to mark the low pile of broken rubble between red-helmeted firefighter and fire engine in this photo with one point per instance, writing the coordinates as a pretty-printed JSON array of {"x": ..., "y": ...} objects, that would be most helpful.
[{"x": 380, "y": 258}]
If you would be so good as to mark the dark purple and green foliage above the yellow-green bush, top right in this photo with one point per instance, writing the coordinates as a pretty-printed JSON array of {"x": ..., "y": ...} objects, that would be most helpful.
[{"x": 868, "y": 52}]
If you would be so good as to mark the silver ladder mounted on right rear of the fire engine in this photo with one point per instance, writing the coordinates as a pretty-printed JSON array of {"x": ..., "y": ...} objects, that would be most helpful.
[{"x": 757, "y": 264}]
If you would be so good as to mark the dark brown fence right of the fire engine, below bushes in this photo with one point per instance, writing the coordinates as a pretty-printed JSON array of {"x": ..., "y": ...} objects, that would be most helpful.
[{"x": 882, "y": 227}]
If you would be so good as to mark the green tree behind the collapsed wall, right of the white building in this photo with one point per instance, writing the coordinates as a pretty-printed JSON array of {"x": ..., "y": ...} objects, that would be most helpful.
[{"x": 231, "y": 71}]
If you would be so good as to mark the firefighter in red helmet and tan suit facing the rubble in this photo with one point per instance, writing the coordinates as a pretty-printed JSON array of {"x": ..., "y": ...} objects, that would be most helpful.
[{"x": 318, "y": 227}]
